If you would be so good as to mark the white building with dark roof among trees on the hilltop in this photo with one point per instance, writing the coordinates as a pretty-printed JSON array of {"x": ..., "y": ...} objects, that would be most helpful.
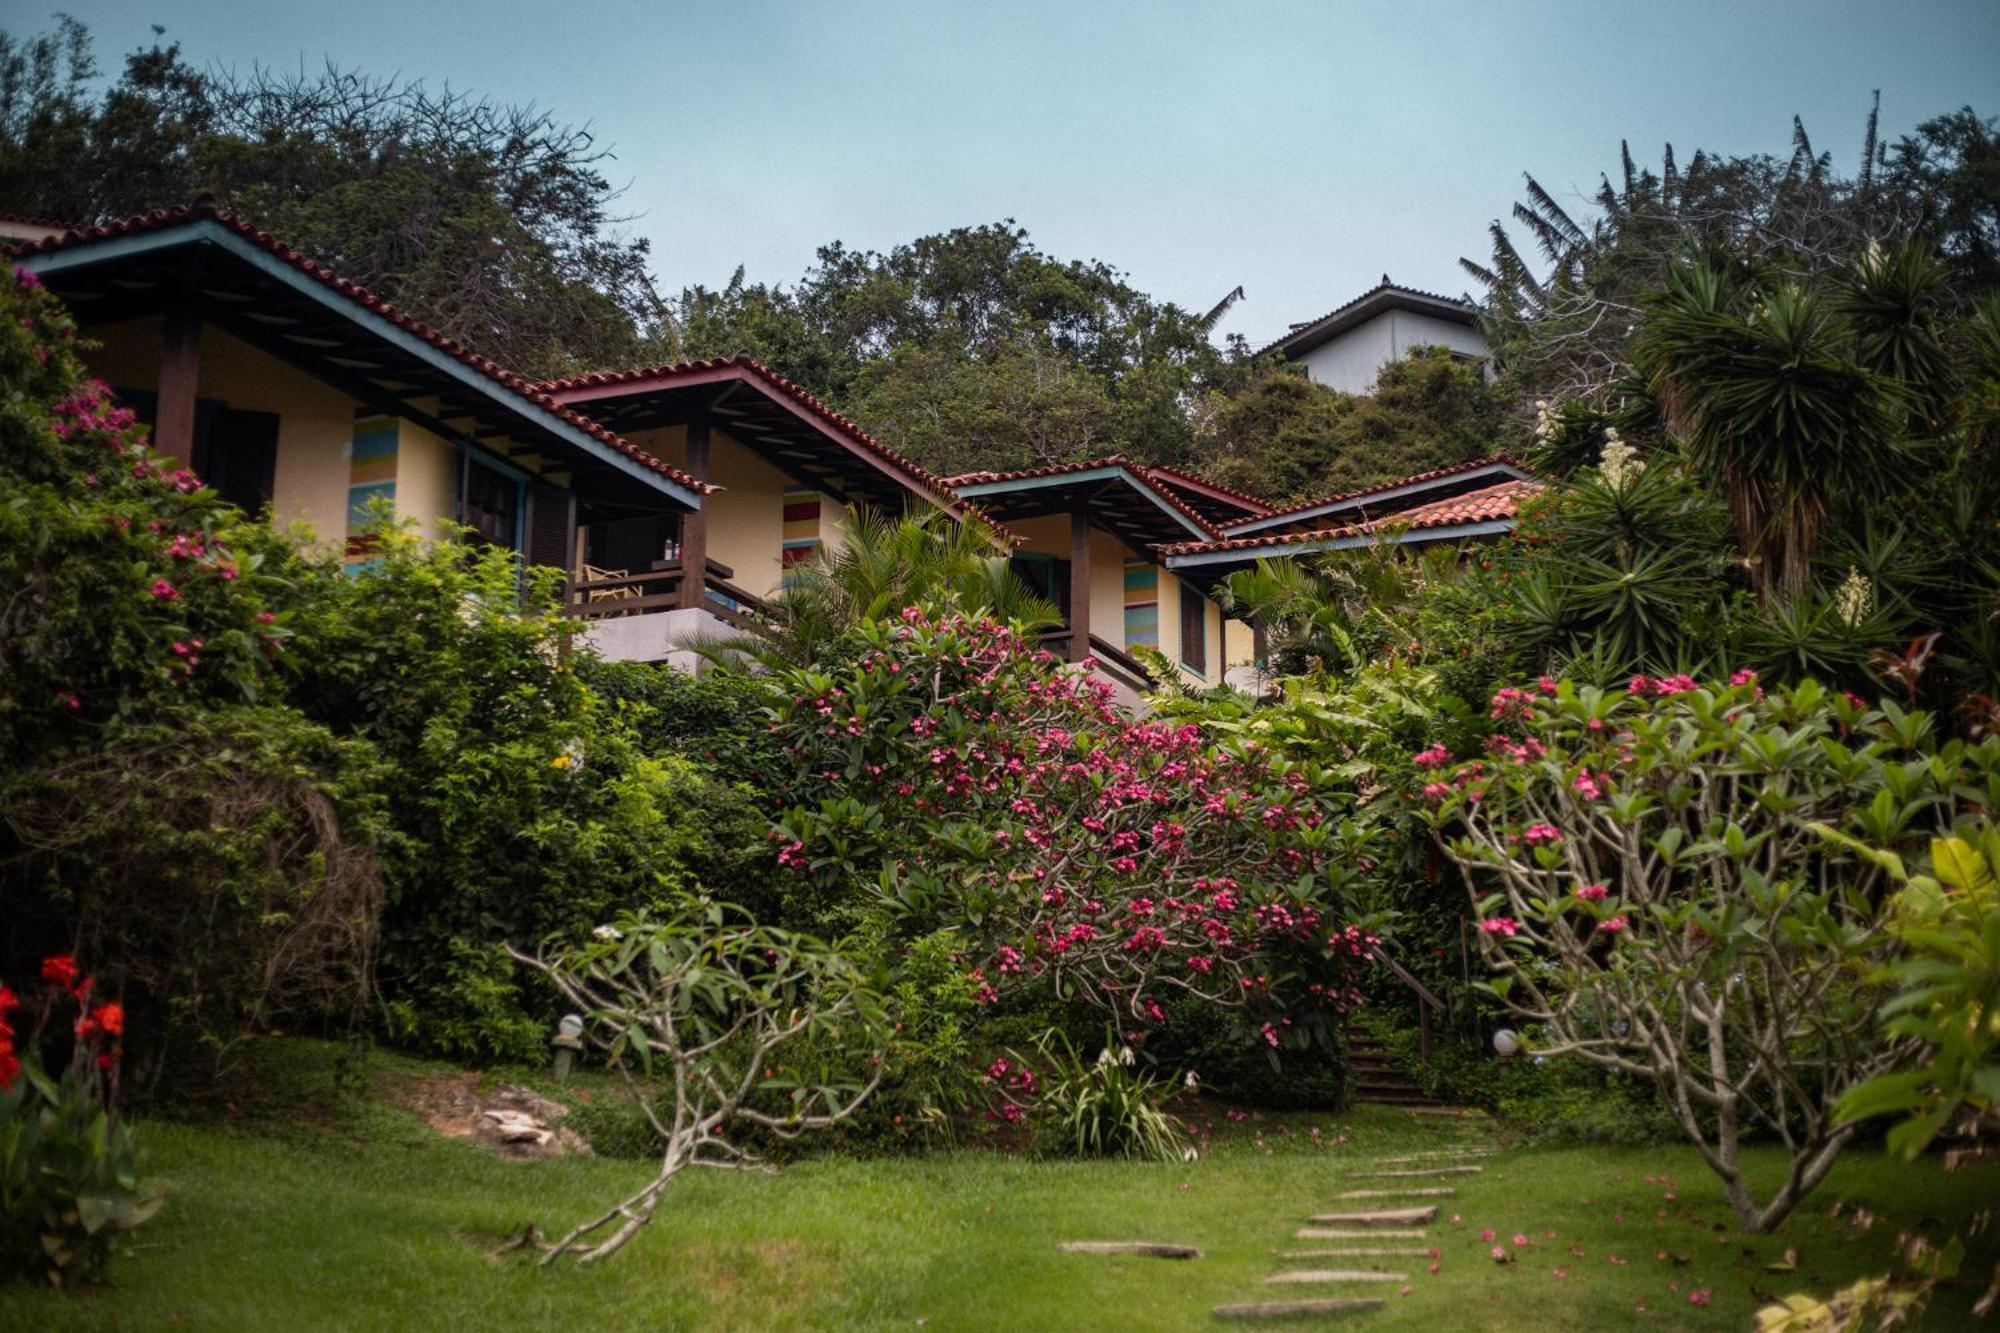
[{"x": 1349, "y": 347}]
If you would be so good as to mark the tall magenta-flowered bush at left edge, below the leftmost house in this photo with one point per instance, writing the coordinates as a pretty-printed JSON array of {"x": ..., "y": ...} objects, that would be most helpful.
[{"x": 159, "y": 810}]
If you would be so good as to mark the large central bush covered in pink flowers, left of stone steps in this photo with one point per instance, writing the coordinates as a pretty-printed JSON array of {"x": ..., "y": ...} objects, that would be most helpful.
[{"x": 1125, "y": 866}]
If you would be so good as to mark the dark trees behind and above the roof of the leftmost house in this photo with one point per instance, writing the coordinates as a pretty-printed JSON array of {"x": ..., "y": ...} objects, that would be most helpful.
[{"x": 491, "y": 221}]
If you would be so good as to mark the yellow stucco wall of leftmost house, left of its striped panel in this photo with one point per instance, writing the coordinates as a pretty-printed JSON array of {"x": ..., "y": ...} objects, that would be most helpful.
[{"x": 315, "y": 423}]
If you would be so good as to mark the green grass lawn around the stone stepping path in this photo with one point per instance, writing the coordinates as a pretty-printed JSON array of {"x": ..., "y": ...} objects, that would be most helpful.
[{"x": 363, "y": 1218}]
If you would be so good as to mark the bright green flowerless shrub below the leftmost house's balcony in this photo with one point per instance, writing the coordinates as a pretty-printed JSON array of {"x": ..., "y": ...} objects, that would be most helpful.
[{"x": 519, "y": 798}]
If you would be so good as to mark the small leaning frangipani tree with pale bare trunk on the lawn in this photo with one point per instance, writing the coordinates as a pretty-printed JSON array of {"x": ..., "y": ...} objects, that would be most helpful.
[{"x": 717, "y": 1024}]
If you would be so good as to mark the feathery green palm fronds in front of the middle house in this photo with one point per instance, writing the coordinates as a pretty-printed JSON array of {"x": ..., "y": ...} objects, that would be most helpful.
[{"x": 883, "y": 565}]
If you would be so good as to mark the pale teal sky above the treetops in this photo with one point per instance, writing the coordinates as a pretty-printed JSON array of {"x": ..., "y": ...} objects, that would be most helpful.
[{"x": 1295, "y": 149}]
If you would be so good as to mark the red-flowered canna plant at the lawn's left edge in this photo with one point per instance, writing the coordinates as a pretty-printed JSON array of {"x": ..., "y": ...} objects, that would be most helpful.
[{"x": 69, "y": 1184}]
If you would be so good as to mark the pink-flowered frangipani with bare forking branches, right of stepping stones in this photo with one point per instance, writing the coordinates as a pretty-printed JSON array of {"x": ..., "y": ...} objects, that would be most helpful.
[{"x": 1687, "y": 882}]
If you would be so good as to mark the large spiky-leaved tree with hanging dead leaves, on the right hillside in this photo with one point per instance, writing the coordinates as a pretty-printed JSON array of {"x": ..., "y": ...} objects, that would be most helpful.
[{"x": 1761, "y": 385}]
